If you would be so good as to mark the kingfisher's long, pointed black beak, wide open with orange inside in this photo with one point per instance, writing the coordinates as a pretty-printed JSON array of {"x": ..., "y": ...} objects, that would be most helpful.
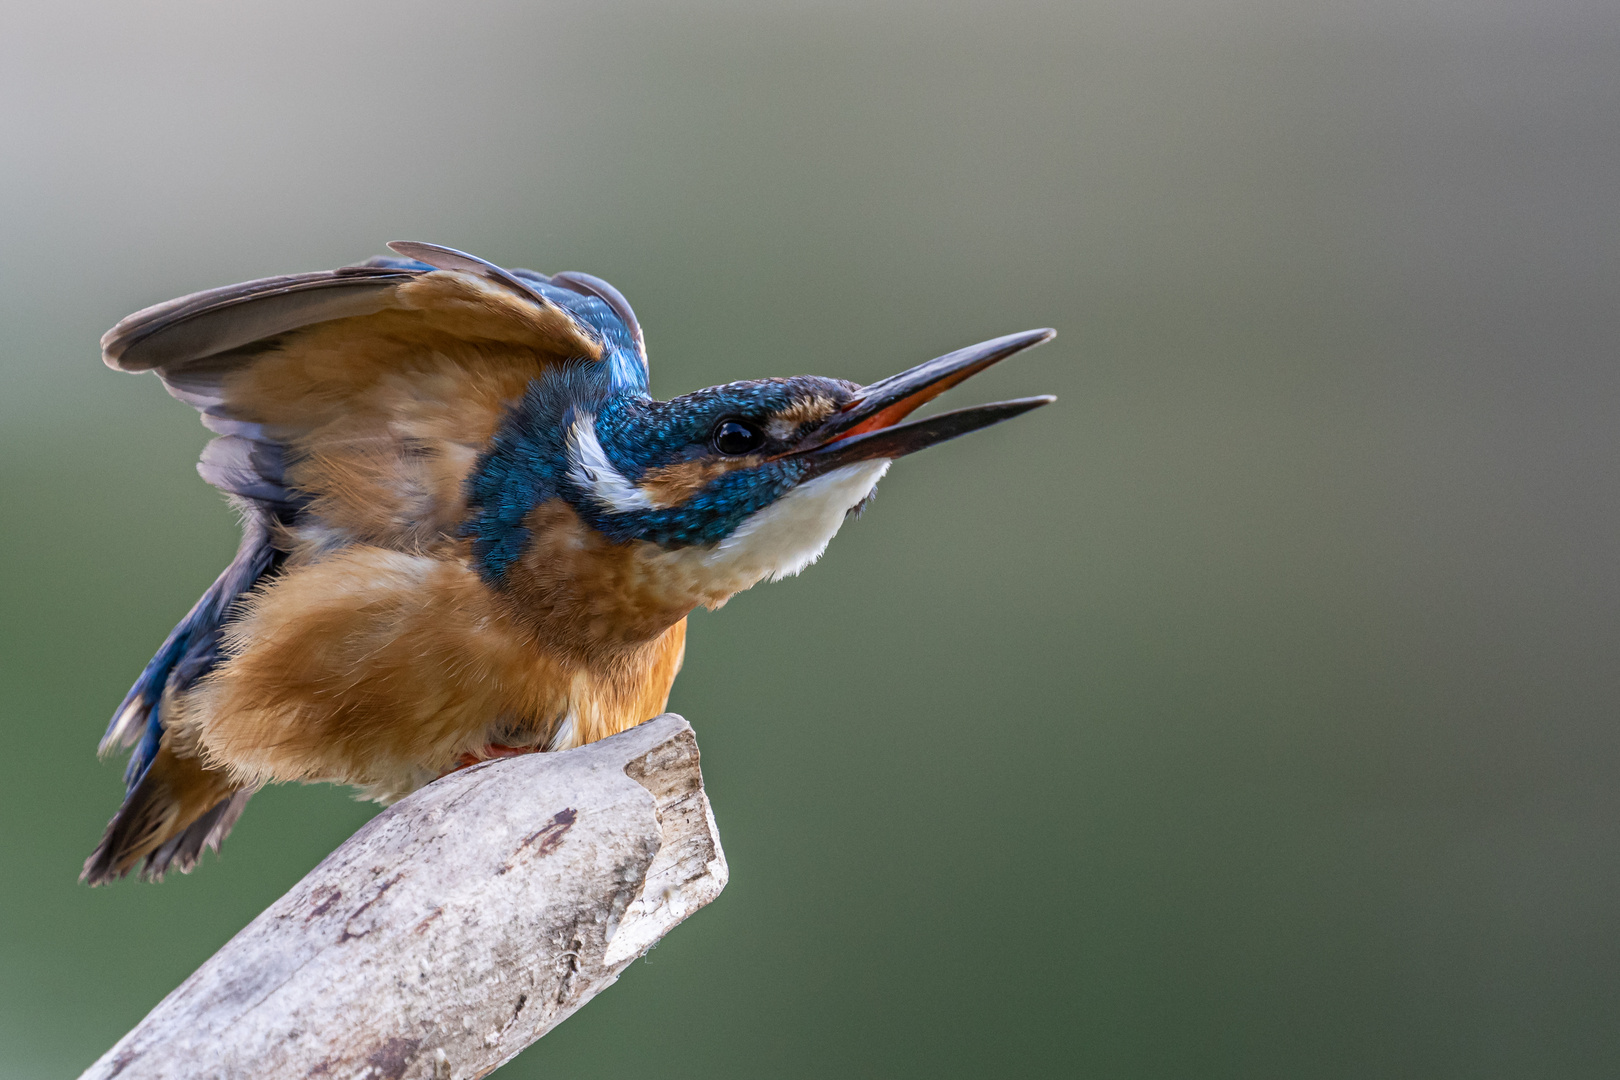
[{"x": 869, "y": 427}]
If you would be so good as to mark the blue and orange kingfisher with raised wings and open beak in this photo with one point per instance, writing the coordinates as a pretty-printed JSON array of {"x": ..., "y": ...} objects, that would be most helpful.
[{"x": 469, "y": 530}]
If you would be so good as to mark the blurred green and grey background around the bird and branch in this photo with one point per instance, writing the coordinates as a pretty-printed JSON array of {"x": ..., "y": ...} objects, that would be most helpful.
[{"x": 1248, "y": 713}]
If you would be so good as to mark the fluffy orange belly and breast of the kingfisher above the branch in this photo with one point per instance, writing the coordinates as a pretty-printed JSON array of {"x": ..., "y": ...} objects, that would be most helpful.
[{"x": 380, "y": 668}]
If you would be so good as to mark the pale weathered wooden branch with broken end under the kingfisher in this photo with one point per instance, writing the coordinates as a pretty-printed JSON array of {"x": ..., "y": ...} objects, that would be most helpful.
[{"x": 458, "y": 927}]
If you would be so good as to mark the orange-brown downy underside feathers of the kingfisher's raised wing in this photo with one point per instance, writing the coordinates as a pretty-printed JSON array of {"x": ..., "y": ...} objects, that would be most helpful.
[{"x": 385, "y": 415}]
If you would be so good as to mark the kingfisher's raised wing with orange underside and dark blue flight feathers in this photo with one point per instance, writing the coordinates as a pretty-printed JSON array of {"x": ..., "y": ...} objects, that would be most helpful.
[{"x": 351, "y": 407}]
